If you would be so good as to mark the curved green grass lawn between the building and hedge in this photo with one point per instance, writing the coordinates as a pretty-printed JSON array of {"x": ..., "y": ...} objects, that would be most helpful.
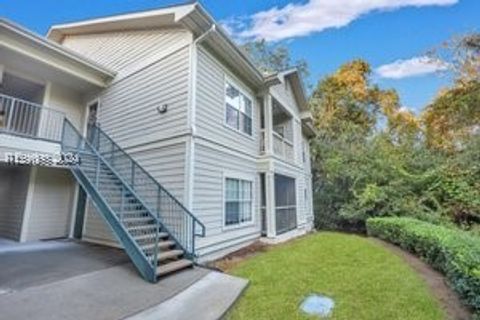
[{"x": 365, "y": 280}]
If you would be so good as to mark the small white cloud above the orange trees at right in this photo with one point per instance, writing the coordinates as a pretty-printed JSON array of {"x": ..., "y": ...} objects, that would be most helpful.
[{"x": 413, "y": 67}]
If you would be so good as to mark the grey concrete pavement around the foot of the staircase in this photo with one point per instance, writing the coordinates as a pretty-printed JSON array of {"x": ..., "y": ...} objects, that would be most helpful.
[{"x": 105, "y": 287}]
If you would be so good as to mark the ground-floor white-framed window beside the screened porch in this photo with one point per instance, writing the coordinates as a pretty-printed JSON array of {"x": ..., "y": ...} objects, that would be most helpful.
[{"x": 238, "y": 201}]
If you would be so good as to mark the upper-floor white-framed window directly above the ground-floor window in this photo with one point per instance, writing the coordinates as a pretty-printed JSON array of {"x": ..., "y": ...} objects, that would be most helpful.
[{"x": 238, "y": 114}]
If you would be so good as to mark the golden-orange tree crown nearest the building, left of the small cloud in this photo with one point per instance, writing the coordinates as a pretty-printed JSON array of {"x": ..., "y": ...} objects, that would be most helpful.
[{"x": 347, "y": 100}]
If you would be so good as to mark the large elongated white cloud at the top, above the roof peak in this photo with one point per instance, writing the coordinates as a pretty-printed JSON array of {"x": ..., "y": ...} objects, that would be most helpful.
[{"x": 295, "y": 20}]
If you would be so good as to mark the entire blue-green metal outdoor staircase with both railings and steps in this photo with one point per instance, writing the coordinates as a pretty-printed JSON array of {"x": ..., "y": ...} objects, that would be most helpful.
[{"x": 155, "y": 229}]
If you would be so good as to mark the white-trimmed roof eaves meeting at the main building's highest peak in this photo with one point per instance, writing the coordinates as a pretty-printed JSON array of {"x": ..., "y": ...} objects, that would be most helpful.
[{"x": 191, "y": 16}]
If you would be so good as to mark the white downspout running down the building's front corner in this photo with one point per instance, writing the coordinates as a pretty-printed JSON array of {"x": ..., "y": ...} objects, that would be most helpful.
[{"x": 192, "y": 116}]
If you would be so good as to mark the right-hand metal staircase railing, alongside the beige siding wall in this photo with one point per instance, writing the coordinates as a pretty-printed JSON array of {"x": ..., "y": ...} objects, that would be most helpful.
[{"x": 178, "y": 221}]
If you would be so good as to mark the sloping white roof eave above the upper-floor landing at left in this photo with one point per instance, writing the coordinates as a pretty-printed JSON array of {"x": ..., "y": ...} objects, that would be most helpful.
[{"x": 18, "y": 39}]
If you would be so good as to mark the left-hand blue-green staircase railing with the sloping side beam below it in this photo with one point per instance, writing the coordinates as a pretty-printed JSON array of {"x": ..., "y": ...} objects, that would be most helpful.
[{"x": 89, "y": 172}]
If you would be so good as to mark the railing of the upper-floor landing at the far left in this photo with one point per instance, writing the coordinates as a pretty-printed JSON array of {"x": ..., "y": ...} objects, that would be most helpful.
[{"x": 31, "y": 120}]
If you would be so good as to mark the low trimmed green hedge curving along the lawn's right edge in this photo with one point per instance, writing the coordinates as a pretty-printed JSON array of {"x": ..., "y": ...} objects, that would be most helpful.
[{"x": 453, "y": 252}]
